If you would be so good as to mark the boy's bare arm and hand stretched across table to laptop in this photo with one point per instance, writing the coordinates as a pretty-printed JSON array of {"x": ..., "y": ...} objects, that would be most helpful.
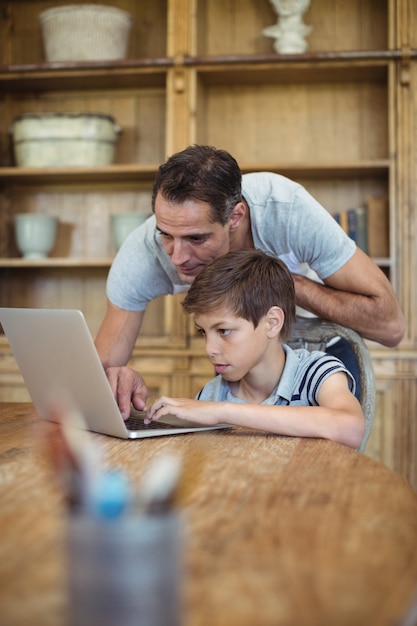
[{"x": 338, "y": 417}]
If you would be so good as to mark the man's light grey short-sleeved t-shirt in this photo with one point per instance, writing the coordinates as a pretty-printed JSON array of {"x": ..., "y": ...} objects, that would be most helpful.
[{"x": 286, "y": 222}]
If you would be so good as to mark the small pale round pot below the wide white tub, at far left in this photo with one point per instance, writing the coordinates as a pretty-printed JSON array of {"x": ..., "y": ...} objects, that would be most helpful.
[{"x": 35, "y": 234}]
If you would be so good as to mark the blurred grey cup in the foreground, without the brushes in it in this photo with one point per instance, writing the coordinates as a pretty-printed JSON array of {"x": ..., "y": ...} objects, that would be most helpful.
[{"x": 125, "y": 571}]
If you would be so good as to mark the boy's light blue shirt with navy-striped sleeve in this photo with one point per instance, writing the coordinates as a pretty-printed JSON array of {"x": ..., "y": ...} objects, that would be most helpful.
[{"x": 304, "y": 373}]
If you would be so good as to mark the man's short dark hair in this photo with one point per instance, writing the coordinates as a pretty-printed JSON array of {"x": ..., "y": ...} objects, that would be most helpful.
[{"x": 201, "y": 173}]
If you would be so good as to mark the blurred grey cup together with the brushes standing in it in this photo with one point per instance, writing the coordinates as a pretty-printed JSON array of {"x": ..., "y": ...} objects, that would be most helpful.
[{"x": 124, "y": 550}]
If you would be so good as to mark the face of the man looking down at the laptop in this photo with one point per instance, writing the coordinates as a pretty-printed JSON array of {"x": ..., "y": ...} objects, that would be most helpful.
[{"x": 189, "y": 238}]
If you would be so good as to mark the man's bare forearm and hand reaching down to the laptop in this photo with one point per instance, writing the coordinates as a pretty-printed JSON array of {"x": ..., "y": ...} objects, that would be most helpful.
[{"x": 114, "y": 342}]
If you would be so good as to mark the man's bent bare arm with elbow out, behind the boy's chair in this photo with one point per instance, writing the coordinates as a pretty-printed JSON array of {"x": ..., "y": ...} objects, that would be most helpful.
[{"x": 358, "y": 296}]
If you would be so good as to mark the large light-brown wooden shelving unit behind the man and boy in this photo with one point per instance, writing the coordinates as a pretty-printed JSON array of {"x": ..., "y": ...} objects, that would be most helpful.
[{"x": 341, "y": 120}]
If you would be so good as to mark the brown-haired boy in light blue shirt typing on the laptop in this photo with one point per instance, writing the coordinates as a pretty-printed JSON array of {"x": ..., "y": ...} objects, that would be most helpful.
[{"x": 244, "y": 306}]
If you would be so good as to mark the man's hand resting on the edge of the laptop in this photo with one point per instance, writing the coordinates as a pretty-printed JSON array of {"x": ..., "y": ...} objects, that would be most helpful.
[{"x": 128, "y": 387}]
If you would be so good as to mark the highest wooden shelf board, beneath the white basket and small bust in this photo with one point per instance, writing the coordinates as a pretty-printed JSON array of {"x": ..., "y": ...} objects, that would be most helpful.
[{"x": 135, "y": 73}]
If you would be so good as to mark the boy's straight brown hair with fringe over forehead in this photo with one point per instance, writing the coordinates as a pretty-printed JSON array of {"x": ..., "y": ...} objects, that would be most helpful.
[{"x": 249, "y": 282}]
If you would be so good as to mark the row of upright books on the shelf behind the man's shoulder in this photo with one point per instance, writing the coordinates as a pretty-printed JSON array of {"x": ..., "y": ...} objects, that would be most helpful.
[{"x": 368, "y": 226}]
